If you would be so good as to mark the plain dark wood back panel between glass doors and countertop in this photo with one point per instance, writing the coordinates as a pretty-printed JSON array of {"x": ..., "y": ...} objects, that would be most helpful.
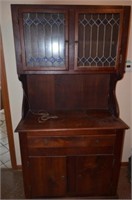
[{"x": 66, "y": 92}]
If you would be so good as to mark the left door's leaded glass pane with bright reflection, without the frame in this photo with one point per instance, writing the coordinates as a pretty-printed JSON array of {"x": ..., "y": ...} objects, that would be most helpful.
[{"x": 44, "y": 39}]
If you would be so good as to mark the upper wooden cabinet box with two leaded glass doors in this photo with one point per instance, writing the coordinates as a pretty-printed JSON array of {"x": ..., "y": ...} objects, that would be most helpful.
[{"x": 70, "y": 38}]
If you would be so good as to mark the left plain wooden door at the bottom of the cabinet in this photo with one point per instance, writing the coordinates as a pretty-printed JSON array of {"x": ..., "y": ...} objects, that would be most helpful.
[{"x": 48, "y": 176}]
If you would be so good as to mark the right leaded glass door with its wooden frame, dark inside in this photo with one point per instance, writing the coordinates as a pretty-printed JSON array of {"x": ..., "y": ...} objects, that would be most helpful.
[{"x": 97, "y": 39}]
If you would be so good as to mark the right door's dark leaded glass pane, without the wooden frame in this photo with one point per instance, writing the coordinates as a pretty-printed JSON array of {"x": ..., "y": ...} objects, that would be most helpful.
[{"x": 97, "y": 39}]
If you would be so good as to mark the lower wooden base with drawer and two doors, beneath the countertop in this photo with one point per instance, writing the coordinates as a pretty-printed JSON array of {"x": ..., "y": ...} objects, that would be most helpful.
[{"x": 55, "y": 166}]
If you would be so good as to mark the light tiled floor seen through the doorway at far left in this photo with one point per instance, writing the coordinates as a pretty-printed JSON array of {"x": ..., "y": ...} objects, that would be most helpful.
[{"x": 5, "y": 161}]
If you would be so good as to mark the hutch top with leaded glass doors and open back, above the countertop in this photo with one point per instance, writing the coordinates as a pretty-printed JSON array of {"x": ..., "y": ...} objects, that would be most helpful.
[{"x": 70, "y": 57}]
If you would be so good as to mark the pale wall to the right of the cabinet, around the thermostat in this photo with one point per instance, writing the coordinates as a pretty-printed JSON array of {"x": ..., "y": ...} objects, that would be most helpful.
[{"x": 124, "y": 95}]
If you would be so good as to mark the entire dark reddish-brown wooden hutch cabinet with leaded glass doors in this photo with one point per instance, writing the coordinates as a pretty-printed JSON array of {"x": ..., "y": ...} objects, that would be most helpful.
[{"x": 69, "y": 60}]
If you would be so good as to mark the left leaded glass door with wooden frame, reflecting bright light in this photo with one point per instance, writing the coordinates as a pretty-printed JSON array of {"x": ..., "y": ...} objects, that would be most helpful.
[{"x": 44, "y": 39}]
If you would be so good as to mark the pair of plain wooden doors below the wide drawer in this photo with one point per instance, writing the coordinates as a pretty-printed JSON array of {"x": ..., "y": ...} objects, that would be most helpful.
[{"x": 76, "y": 176}]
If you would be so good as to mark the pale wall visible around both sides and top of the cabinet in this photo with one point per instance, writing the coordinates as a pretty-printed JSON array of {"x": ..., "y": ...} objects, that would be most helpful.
[{"x": 124, "y": 92}]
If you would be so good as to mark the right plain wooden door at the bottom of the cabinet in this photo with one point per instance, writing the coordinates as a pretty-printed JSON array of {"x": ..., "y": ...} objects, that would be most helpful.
[{"x": 93, "y": 175}]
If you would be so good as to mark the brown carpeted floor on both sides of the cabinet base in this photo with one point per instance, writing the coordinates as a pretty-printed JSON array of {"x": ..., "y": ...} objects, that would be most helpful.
[{"x": 12, "y": 184}]
